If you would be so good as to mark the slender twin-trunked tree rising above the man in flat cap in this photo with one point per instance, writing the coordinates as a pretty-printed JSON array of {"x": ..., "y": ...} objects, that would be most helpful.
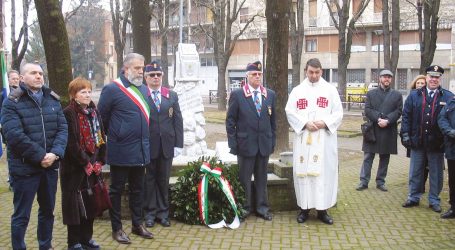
[{"x": 391, "y": 58}]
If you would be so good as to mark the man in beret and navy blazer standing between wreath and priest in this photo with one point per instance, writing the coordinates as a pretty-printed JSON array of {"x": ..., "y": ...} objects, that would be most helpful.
[{"x": 250, "y": 126}]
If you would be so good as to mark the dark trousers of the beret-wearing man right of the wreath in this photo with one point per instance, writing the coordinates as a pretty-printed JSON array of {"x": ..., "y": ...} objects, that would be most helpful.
[{"x": 256, "y": 165}]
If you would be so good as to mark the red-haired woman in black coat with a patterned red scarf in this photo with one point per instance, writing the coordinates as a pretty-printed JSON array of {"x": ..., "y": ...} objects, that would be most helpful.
[{"x": 84, "y": 158}]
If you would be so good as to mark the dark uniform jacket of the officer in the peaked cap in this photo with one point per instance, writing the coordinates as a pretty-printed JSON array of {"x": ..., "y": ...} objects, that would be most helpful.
[{"x": 413, "y": 121}]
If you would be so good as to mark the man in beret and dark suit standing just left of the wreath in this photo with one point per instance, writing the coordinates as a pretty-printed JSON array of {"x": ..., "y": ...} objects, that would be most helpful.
[{"x": 166, "y": 142}]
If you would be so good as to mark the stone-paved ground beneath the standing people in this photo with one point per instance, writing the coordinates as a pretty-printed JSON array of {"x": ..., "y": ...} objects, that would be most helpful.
[{"x": 370, "y": 219}]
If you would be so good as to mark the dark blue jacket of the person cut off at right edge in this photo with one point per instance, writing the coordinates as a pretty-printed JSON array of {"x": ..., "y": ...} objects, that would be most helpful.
[{"x": 446, "y": 121}]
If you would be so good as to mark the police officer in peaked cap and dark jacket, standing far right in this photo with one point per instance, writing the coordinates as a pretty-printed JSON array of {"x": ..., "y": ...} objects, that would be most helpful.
[{"x": 420, "y": 132}]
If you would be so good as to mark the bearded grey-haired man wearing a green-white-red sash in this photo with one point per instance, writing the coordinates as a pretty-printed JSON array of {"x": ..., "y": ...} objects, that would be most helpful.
[{"x": 126, "y": 113}]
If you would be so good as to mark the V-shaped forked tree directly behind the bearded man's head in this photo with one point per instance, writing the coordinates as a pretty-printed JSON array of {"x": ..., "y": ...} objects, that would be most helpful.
[{"x": 119, "y": 15}]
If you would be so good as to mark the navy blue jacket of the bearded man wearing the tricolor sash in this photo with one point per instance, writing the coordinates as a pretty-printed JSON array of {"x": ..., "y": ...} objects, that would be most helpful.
[{"x": 127, "y": 128}]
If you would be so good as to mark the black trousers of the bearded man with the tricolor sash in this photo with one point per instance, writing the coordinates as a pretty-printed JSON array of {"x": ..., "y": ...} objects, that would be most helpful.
[{"x": 135, "y": 177}]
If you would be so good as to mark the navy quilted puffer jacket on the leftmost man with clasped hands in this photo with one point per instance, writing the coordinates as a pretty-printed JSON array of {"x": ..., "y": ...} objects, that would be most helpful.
[{"x": 32, "y": 130}]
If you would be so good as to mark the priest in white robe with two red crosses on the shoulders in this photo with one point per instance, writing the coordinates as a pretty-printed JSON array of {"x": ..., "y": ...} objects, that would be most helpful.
[{"x": 314, "y": 111}]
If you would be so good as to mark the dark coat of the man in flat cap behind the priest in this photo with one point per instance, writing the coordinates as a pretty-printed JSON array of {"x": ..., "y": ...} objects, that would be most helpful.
[{"x": 386, "y": 104}]
